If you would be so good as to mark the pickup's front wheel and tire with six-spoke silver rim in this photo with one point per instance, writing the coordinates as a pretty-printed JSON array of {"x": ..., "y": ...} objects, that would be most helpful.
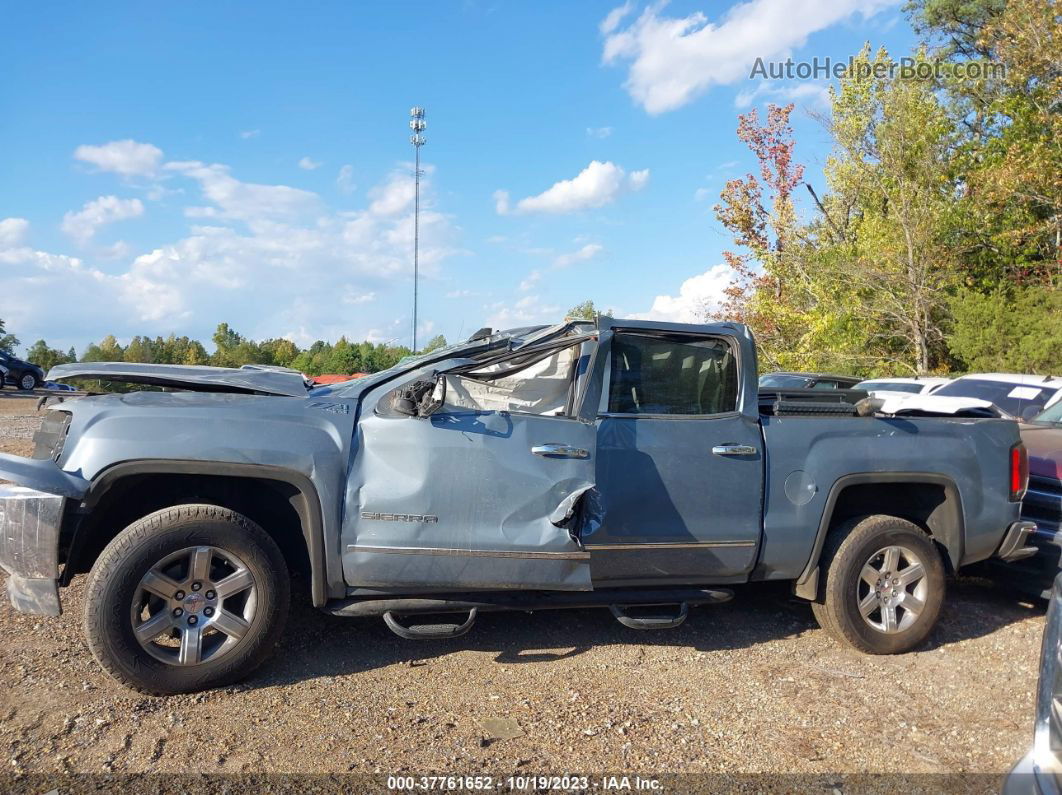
[{"x": 166, "y": 555}]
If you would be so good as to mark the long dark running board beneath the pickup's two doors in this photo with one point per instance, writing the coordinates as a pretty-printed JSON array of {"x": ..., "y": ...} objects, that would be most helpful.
[{"x": 526, "y": 601}]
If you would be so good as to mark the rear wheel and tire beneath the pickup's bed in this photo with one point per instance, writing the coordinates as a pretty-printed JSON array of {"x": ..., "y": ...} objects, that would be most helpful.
[{"x": 857, "y": 610}]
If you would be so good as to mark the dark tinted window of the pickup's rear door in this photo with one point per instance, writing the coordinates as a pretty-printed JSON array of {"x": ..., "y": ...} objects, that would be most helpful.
[{"x": 652, "y": 375}]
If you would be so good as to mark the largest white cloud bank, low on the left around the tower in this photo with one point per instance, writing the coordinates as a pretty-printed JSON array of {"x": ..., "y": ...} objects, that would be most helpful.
[{"x": 290, "y": 264}]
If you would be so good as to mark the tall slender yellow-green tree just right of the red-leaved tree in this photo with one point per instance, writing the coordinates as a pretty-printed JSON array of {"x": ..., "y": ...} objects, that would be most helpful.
[{"x": 893, "y": 172}]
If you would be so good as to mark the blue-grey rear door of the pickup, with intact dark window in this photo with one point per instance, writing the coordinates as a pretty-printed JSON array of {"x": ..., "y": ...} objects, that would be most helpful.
[{"x": 680, "y": 456}]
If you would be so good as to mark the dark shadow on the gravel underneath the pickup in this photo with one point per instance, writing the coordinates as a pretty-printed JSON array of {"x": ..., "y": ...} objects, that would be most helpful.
[{"x": 321, "y": 646}]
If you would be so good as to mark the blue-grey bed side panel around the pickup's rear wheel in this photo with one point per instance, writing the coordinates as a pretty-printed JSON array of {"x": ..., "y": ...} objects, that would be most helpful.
[{"x": 814, "y": 455}]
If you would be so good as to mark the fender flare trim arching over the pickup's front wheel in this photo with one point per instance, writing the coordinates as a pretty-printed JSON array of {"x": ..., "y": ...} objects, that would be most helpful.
[{"x": 310, "y": 509}]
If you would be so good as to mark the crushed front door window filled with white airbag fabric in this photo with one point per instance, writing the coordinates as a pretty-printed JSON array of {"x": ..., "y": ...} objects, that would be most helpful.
[{"x": 542, "y": 388}]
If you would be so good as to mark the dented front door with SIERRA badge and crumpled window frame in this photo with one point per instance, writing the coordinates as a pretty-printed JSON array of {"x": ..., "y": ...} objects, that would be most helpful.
[{"x": 490, "y": 492}]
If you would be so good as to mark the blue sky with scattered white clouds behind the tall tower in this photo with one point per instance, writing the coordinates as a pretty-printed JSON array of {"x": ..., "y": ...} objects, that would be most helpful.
[{"x": 172, "y": 166}]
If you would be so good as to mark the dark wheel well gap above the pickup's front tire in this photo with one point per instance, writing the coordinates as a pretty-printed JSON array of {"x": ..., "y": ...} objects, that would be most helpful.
[{"x": 276, "y": 506}]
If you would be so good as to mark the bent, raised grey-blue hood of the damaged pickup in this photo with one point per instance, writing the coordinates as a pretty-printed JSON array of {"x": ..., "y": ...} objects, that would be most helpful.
[{"x": 253, "y": 379}]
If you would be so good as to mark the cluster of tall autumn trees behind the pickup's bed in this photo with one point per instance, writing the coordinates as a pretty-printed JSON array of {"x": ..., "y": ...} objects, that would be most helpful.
[{"x": 933, "y": 240}]
